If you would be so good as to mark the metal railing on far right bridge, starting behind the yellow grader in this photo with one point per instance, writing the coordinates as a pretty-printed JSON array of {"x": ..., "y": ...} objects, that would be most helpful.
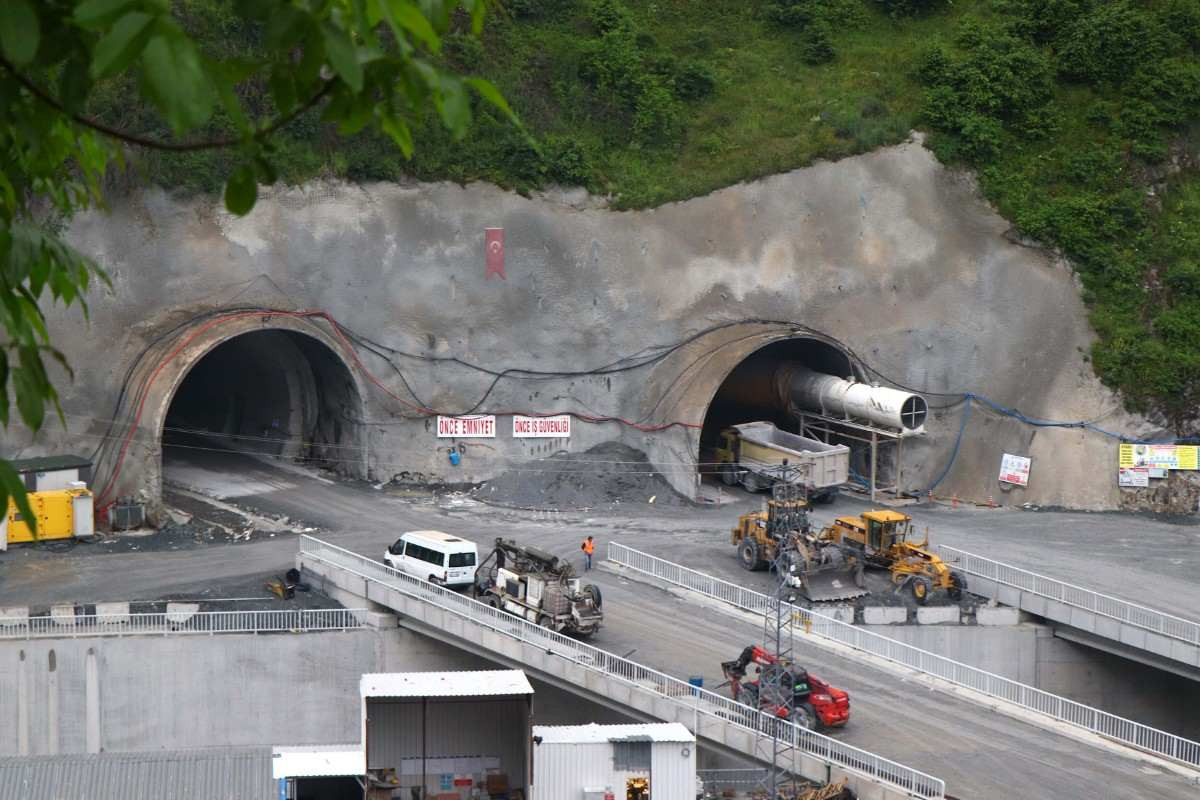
[{"x": 1071, "y": 596}]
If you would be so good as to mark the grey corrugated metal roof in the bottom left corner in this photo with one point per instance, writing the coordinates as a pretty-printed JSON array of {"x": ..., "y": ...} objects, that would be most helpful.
[{"x": 215, "y": 774}]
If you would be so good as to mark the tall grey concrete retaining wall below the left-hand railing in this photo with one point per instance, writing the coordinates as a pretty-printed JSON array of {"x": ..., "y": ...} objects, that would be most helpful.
[{"x": 155, "y": 693}]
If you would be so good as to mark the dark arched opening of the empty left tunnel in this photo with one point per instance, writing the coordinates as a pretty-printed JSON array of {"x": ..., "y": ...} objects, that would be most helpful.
[{"x": 269, "y": 393}]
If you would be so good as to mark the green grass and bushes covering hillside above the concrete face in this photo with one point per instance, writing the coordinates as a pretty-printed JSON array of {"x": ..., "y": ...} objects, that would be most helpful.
[{"x": 1081, "y": 117}]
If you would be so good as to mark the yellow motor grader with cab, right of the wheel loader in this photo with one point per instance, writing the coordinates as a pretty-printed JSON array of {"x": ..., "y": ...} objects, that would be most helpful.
[{"x": 884, "y": 539}]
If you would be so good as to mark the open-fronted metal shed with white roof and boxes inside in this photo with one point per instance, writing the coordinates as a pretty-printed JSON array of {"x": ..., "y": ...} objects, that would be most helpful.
[{"x": 449, "y": 732}]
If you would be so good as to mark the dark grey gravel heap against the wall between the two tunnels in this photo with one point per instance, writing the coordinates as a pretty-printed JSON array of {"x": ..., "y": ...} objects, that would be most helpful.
[{"x": 608, "y": 477}]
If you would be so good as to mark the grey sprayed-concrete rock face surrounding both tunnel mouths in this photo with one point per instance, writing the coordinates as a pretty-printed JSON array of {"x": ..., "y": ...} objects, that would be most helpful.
[{"x": 892, "y": 256}]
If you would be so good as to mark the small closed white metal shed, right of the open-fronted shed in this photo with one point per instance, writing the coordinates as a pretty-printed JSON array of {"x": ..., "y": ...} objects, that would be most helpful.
[{"x": 626, "y": 762}]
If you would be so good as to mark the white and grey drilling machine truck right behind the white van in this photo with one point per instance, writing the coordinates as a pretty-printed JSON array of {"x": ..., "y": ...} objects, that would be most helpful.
[{"x": 539, "y": 587}]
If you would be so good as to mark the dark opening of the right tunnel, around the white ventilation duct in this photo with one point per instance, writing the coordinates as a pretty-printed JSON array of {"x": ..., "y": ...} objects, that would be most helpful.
[{"x": 751, "y": 393}]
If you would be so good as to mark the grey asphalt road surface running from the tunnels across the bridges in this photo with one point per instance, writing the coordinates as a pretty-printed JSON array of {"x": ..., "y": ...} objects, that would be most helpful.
[{"x": 979, "y": 753}]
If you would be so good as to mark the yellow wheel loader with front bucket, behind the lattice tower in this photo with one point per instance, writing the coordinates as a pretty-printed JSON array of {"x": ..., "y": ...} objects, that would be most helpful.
[{"x": 783, "y": 539}]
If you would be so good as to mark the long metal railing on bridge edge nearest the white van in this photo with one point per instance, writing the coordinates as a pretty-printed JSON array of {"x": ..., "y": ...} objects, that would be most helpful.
[{"x": 694, "y": 700}]
